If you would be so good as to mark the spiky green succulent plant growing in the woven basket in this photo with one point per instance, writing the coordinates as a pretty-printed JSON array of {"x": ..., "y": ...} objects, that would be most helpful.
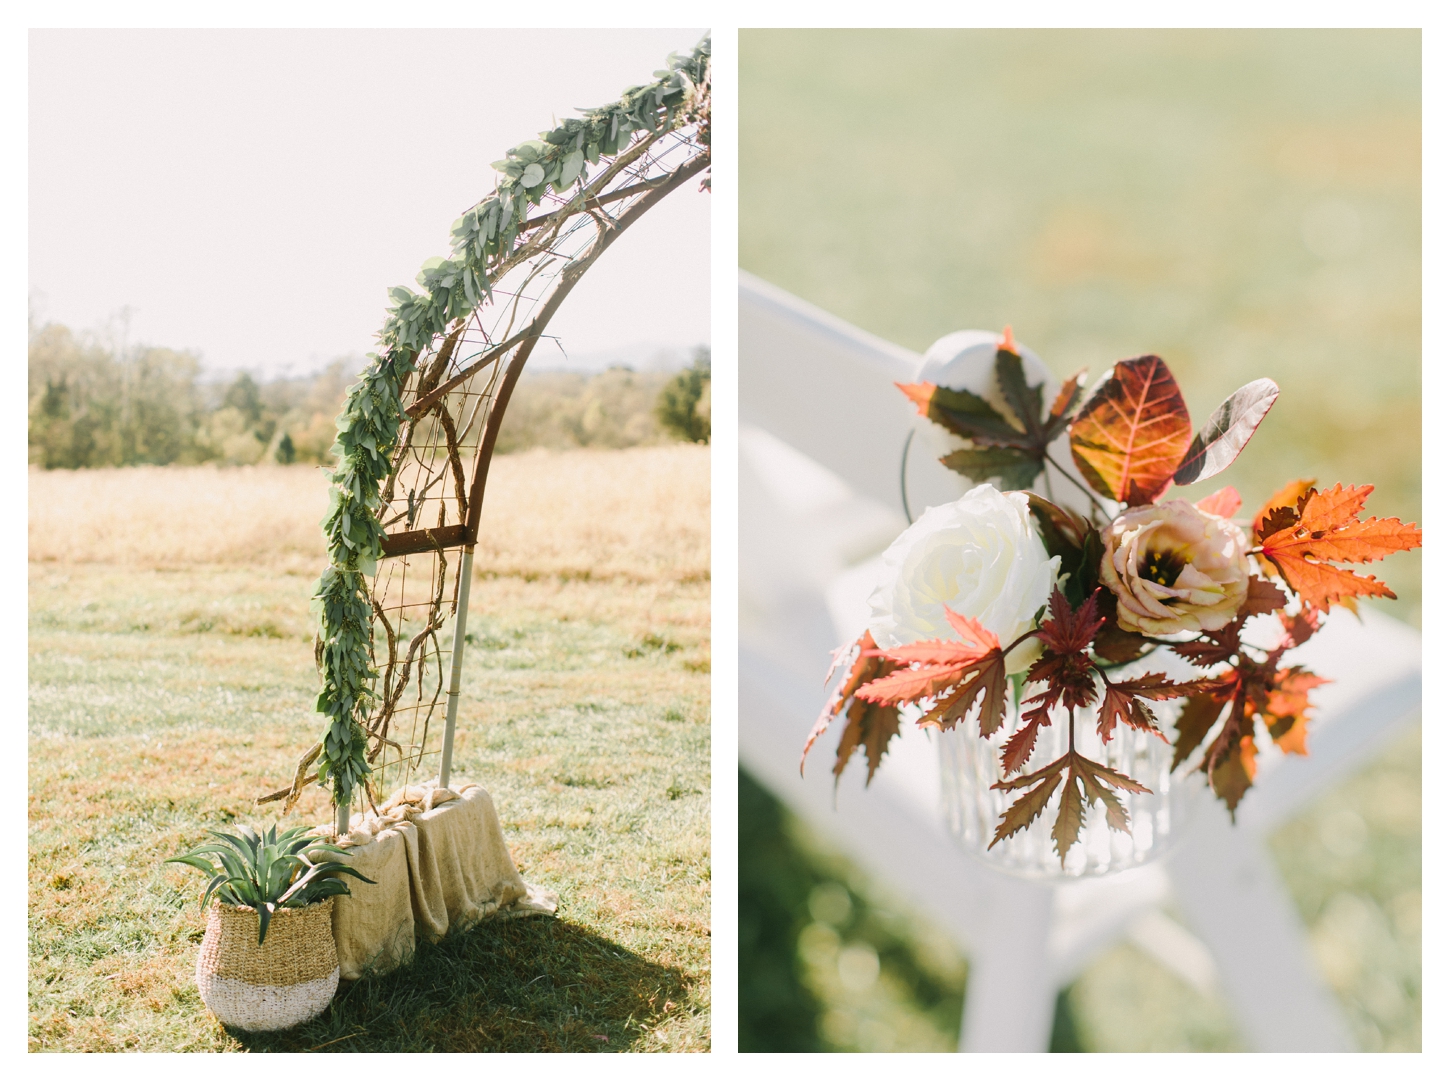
[{"x": 269, "y": 872}]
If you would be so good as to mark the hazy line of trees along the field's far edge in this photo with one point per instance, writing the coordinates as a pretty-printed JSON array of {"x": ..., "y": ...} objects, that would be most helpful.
[{"x": 96, "y": 405}]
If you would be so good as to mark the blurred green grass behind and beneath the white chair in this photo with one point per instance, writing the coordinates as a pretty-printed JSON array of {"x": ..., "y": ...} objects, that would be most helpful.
[{"x": 1243, "y": 204}]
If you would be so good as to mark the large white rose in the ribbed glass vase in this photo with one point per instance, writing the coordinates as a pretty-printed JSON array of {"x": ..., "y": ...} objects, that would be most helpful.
[{"x": 979, "y": 556}]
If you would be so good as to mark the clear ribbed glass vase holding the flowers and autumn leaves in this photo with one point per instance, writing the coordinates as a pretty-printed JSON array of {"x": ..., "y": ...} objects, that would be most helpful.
[{"x": 971, "y": 766}]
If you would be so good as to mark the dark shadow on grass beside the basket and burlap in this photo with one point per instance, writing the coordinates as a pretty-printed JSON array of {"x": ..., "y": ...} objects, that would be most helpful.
[{"x": 530, "y": 985}]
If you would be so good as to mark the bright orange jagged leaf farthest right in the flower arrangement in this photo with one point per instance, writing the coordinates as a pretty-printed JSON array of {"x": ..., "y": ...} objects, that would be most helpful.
[{"x": 1326, "y": 530}]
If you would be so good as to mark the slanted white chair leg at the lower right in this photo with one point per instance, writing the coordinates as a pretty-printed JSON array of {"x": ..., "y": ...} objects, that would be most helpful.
[{"x": 1233, "y": 898}]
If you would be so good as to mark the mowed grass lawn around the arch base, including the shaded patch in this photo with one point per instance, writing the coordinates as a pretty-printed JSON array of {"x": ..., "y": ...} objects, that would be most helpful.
[{"x": 163, "y": 702}]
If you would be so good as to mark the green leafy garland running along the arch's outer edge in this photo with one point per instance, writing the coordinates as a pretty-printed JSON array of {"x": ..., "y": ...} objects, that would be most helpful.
[{"x": 484, "y": 243}]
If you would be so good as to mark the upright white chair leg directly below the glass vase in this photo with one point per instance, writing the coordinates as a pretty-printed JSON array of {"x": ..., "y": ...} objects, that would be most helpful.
[{"x": 1010, "y": 988}]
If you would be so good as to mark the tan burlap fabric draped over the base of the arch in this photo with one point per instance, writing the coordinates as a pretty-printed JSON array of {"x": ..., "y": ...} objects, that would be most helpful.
[{"x": 440, "y": 864}]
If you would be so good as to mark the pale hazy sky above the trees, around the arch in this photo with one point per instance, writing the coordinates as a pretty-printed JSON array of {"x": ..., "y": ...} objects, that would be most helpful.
[{"x": 252, "y": 195}]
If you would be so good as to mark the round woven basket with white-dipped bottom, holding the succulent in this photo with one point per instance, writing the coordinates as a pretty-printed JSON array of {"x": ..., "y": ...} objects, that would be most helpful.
[{"x": 285, "y": 982}]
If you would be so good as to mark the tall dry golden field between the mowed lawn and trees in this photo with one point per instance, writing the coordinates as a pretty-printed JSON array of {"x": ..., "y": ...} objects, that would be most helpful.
[{"x": 640, "y": 514}]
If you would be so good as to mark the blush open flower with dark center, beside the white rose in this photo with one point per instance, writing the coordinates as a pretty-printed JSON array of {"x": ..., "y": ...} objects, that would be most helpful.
[{"x": 1175, "y": 567}]
